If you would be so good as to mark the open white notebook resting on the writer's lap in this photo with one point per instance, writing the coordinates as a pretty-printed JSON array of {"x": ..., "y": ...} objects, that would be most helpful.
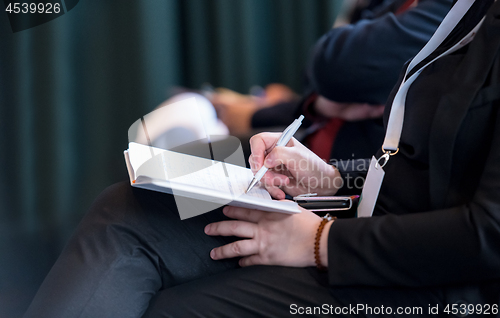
[{"x": 200, "y": 179}]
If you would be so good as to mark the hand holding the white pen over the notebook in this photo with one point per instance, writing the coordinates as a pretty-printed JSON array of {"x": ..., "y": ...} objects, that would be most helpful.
[{"x": 293, "y": 169}]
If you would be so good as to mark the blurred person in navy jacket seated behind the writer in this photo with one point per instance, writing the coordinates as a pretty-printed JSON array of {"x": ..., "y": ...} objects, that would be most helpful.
[{"x": 350, "y": 75}]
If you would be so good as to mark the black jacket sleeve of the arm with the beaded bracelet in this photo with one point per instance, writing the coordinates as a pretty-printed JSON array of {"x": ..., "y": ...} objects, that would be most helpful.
[{"x": 458, "y": 244}]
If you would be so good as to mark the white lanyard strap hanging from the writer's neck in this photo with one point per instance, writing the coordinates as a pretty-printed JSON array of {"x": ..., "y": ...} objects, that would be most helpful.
[{"x": 396, "y": 117}]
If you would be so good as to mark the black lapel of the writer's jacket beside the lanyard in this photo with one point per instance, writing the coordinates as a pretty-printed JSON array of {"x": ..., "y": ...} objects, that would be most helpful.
[{"x": 468, "y": 78}]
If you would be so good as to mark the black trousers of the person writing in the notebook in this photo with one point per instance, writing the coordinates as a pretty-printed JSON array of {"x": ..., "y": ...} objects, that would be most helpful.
[{"x": 132, "y": 256}]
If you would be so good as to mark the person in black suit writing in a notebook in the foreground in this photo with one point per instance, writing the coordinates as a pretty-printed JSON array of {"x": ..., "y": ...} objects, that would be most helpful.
[{"x": 431, "y": 246}]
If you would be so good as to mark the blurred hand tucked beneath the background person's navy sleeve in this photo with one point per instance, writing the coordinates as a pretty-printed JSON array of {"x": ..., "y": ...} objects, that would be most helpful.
[{"x": 347, "y": 111}]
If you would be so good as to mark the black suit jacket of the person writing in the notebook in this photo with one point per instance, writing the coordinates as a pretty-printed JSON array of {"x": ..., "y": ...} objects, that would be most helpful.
[{"x": 437, "y": 220}]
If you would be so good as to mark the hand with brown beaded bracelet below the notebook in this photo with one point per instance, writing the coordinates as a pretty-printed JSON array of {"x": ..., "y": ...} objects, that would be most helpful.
[{"x": 270, "y": 238}]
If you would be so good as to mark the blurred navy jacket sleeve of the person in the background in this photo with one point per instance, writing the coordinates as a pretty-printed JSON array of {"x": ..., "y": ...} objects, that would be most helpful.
[{"x": 361, "y": 62}]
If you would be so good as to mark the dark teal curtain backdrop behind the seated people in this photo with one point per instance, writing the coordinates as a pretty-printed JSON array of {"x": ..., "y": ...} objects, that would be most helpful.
[{"x": 70, "y": 88}]
